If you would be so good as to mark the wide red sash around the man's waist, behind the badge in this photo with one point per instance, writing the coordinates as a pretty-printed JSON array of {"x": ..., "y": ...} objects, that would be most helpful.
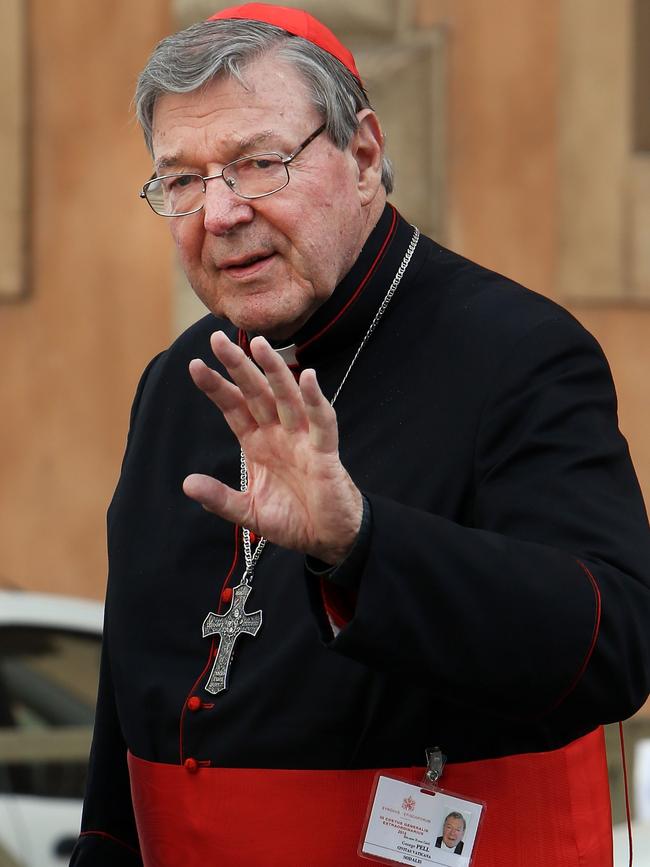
[{"x": 543, "y": 810}]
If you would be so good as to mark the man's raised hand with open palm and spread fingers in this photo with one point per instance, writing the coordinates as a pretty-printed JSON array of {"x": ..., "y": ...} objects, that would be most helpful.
[{"x": 299, "y": 493}]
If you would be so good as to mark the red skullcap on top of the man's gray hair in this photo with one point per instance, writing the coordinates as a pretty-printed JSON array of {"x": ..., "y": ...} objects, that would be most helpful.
[{"x": 294, "y": 21}]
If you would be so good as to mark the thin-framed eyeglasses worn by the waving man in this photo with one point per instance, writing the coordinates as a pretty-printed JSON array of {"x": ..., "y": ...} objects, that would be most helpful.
[{"x": 251, "y": 177}]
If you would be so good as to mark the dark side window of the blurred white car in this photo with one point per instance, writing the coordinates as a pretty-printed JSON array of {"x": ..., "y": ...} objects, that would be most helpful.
[{"x": 48, "y": 686}]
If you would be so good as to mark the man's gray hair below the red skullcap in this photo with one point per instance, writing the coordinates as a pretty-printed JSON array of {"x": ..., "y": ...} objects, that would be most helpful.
[{"x": 192, "y": 58}]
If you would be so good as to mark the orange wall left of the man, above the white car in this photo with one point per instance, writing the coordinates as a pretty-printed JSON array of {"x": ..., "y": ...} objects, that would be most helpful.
[{"x": 98, "y": 305}]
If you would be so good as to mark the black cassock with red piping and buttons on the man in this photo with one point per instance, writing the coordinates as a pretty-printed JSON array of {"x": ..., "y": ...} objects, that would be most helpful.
[{"x": 503, "y": 597}]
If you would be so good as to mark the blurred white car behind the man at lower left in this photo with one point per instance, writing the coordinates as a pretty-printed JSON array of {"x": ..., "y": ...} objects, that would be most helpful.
[{"x": 49, "y": 665}]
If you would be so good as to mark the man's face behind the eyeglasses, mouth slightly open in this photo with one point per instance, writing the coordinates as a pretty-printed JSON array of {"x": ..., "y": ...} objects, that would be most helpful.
[{"x": 264, "y": 264}]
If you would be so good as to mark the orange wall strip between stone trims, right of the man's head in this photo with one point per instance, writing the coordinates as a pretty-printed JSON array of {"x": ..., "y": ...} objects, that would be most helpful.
[{"x": 501, "y": 165}]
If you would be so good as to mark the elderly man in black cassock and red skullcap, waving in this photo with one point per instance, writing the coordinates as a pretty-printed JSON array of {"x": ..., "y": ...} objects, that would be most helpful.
[{"x": 387, "y": 508}]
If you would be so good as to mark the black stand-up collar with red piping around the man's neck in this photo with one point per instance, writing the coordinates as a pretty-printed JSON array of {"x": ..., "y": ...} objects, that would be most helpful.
[{"x": 343, "y": 318}]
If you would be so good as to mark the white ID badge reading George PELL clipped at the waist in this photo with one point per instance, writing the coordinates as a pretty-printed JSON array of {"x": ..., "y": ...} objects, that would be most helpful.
[{"x": 420, "y": 824}]
